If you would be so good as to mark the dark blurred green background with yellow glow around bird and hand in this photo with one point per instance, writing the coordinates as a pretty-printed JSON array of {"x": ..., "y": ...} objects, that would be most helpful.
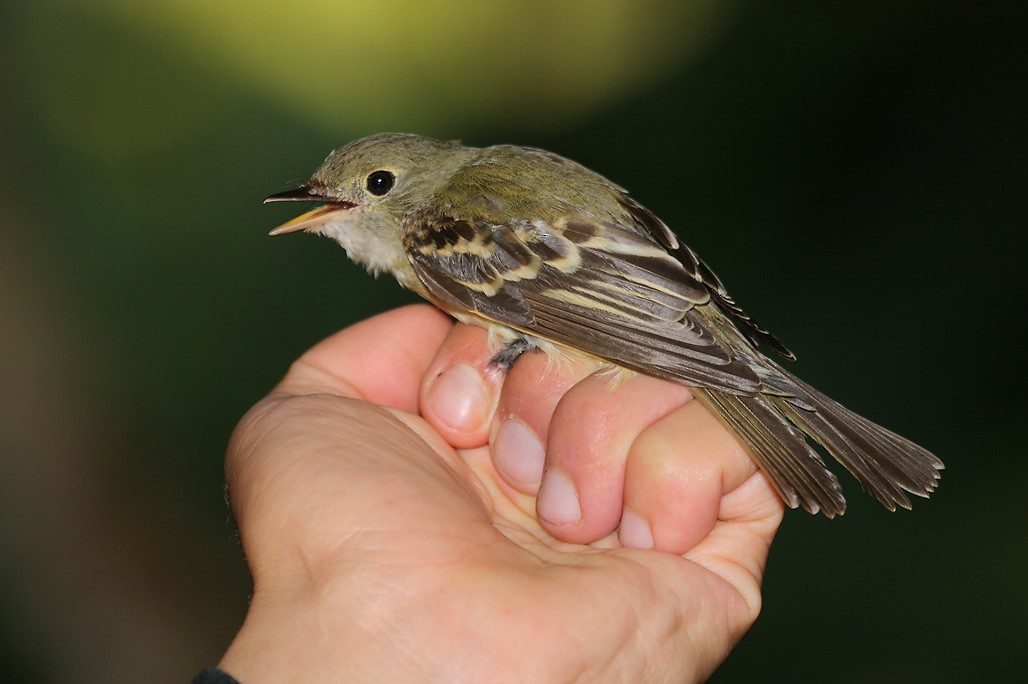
[{"x": 855, "y": 171}]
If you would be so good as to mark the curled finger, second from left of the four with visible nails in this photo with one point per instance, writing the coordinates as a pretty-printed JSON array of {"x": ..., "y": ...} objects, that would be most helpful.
[{"x": 521, "y": 428}]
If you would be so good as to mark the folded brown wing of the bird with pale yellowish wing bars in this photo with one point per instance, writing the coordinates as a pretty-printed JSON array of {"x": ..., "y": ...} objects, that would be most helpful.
[{"x": 627, "y": 293}]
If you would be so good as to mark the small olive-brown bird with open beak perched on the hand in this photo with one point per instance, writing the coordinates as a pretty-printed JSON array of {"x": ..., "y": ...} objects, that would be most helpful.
[{"x": 547, "y": 255}]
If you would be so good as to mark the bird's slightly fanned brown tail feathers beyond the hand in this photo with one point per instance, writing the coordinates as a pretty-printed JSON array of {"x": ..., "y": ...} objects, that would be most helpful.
[{"x": 774, "y": 426}]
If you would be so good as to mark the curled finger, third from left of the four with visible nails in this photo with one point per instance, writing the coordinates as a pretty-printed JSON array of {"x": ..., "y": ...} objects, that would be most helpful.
[{"x": 594, "y": 427}]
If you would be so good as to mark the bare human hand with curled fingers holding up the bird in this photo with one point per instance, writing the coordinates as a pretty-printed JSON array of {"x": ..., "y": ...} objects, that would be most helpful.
[{"x": 387, "y": 508}]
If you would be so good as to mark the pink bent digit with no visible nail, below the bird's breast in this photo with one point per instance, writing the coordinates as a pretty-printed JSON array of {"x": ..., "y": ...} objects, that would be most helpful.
[{"x": 382, "y": 359}]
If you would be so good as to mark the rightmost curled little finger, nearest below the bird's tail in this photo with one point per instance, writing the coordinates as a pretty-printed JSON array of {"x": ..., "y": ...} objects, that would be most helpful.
[{"x": 678, "y": 473}]
